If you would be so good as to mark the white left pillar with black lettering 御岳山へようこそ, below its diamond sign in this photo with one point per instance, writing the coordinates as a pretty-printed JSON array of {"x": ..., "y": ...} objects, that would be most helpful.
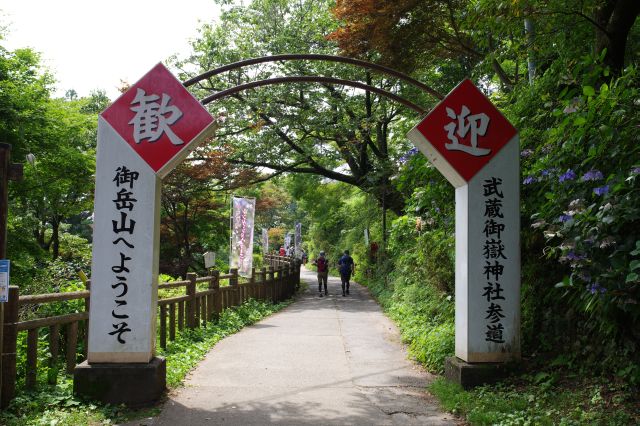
[{"x": 124, "y": 272}]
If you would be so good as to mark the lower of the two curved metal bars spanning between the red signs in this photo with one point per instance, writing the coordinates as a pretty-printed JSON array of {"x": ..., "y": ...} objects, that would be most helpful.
[{"x": 311, "y": 79}]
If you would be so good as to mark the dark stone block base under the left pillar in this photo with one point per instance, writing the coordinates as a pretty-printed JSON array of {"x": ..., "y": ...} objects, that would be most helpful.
[{"x": 132, "y": 384}]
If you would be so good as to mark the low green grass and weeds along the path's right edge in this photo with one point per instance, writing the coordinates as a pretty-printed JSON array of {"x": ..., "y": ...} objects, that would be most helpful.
[{"x": 556, "y": 394}]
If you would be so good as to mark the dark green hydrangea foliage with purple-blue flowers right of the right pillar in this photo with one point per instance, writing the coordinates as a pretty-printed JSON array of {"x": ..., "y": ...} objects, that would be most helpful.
[{"x": 580, "y": 193}]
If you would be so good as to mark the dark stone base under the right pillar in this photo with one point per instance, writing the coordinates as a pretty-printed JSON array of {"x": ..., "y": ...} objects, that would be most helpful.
[{"x": 472, "y": 375}]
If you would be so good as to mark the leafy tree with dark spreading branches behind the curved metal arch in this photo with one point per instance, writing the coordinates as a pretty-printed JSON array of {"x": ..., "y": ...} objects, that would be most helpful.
[{"x": 341, "y": 134}]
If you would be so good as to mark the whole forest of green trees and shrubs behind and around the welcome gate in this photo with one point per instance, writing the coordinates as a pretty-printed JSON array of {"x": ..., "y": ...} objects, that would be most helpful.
[{"x": 565, "y": 73}]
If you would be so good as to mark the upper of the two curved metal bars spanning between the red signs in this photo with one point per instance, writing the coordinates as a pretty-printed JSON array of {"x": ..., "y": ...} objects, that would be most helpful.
[{"x": 316, "y": 57}]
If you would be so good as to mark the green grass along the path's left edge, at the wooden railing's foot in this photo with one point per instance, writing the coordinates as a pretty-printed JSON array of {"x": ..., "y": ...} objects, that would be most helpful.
[{"x": 55, "y": 405}]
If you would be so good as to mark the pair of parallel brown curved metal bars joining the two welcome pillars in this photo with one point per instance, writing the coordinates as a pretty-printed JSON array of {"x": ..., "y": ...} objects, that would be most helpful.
[{"x": 314, "y": 79}]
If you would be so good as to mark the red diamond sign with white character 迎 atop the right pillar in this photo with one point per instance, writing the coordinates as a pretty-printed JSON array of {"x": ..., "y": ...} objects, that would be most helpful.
[{"x": 462, "y": 133}]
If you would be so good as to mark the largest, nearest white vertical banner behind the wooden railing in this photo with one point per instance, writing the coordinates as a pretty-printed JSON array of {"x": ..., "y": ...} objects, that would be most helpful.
[{"x": 242, "y": 235}]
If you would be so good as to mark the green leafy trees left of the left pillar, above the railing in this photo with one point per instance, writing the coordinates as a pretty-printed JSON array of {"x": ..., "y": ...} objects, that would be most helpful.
[{"x": 57, "y": 186}]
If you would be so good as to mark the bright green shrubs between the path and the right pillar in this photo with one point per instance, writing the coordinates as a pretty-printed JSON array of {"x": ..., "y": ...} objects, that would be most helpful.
[{"x": 417, "y": 292}]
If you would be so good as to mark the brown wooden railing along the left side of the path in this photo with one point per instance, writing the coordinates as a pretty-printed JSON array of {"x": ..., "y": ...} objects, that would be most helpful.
[{"x": 203, "y": 301}]
